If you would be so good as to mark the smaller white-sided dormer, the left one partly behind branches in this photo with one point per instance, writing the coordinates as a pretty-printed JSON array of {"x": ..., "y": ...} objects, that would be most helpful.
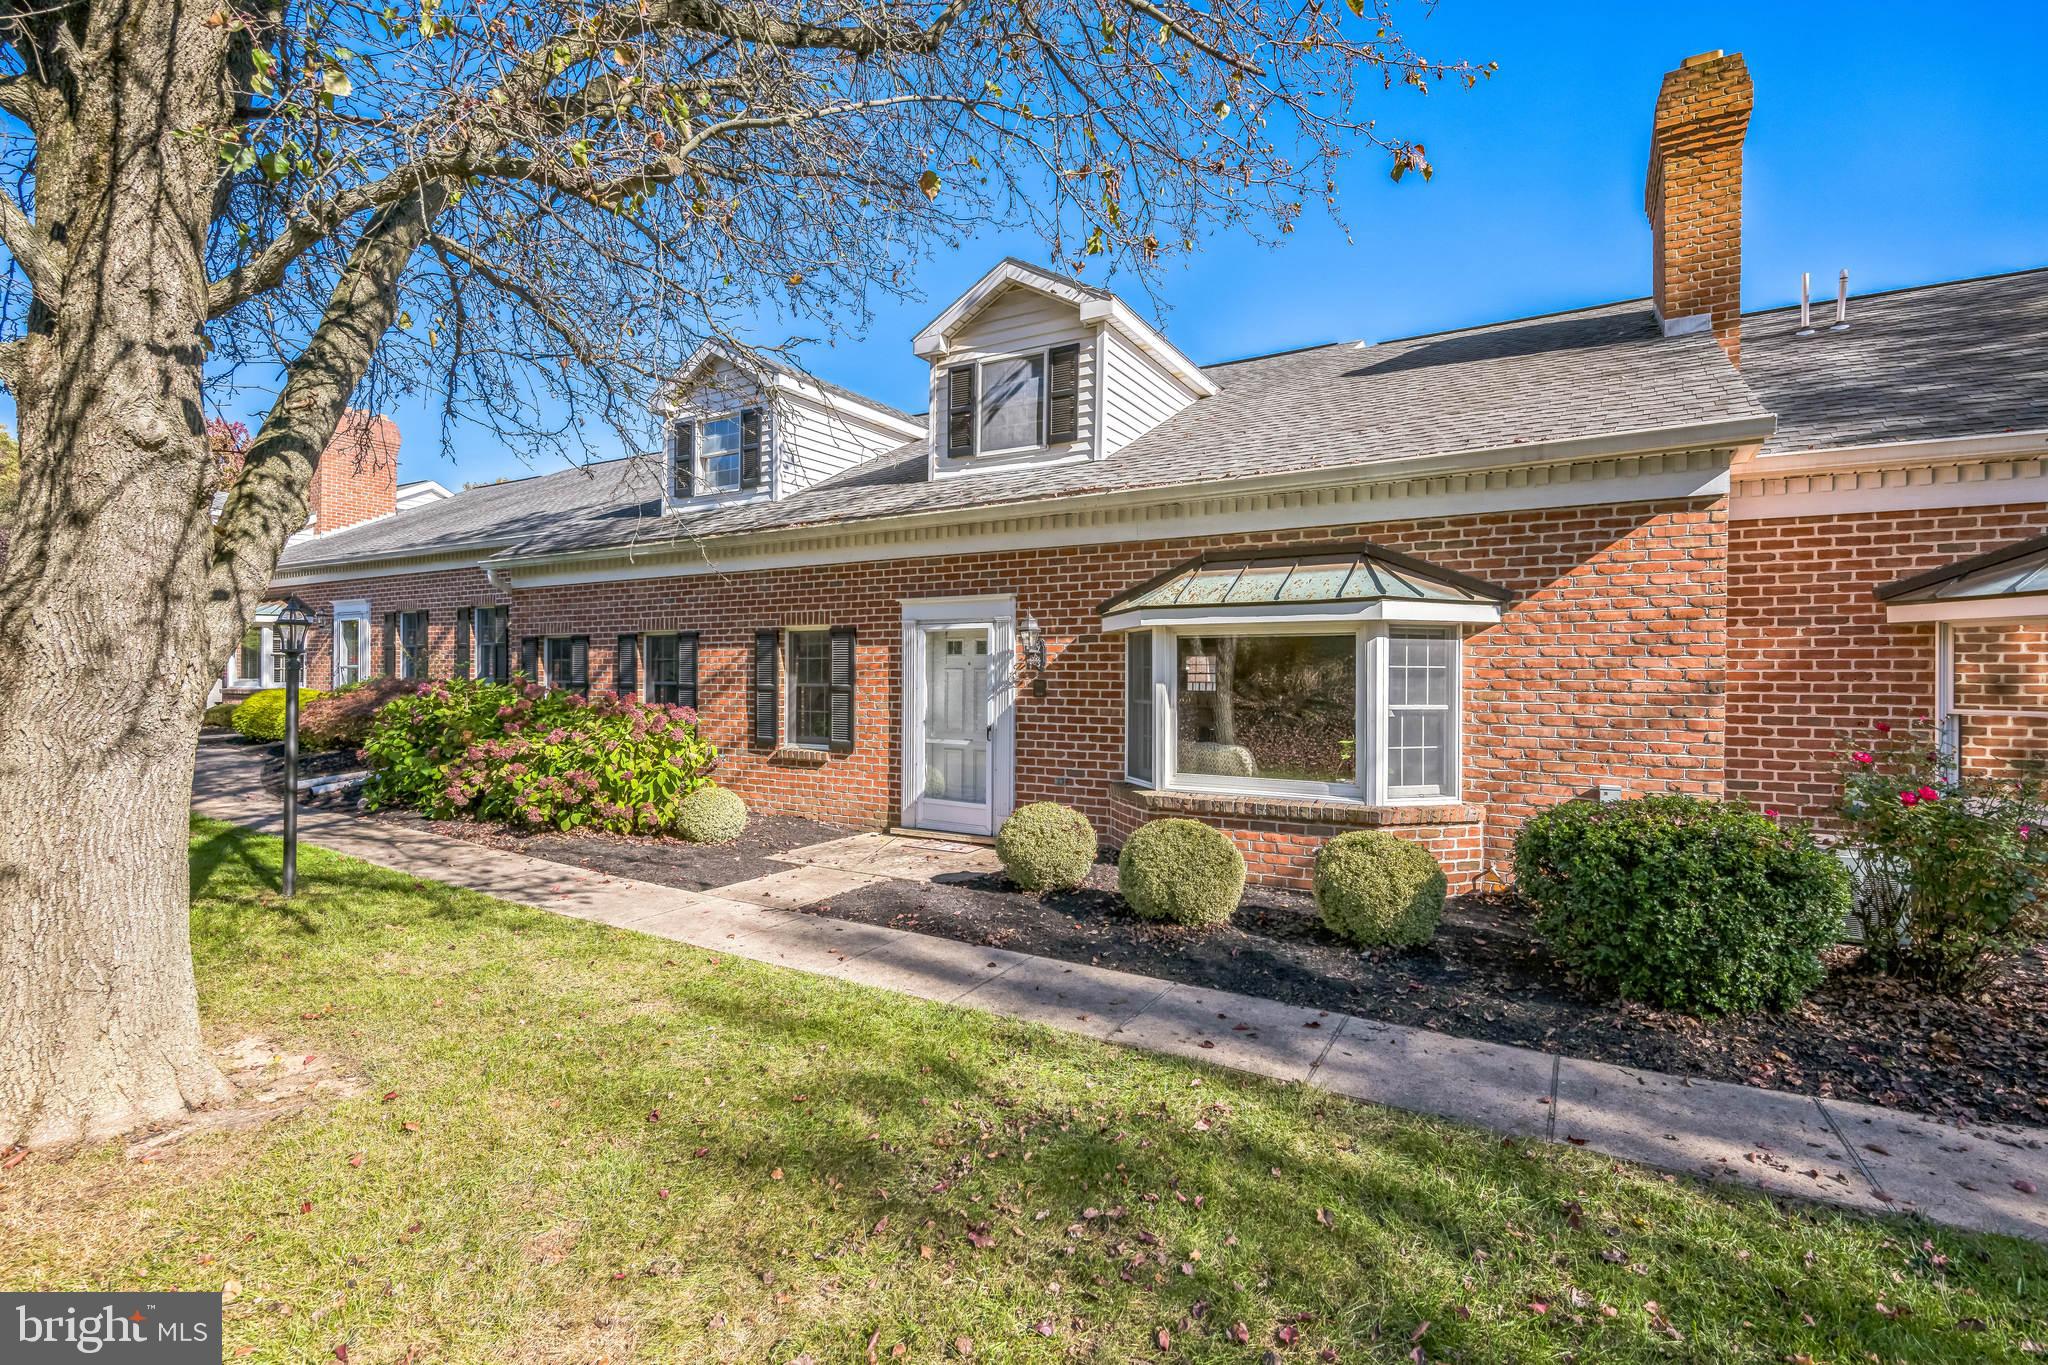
[{"x": 744, "y": 433}]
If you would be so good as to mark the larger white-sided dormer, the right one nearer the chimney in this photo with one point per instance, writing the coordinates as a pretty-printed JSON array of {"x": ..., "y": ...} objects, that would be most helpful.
[{"x": 1035, "y": 369}]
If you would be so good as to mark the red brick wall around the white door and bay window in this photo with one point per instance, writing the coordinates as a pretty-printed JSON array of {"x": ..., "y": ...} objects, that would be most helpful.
[{"x": 1607, "y": 668}]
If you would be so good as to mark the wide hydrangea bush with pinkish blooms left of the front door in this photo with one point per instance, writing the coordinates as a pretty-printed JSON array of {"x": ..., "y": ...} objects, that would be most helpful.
[{"x": 536, "y": 758}]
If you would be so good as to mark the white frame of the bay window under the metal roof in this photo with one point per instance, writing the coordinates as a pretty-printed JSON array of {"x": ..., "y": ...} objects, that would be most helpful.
[{"x": 1369, "y": 725}]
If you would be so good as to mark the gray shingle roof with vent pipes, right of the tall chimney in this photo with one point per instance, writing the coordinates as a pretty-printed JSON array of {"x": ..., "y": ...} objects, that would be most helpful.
[{"x": 1959, "y": 359}]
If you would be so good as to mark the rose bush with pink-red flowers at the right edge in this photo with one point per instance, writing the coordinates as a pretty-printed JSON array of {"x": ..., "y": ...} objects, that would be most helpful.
[{"x": 1949, "y": 867}]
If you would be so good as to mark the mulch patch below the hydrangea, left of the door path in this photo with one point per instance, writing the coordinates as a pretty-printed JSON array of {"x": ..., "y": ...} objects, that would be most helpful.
[{"x": 667, "y": 863}]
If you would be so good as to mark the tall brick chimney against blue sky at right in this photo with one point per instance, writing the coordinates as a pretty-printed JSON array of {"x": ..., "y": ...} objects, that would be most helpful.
[{"x": 1695, "y": 197}]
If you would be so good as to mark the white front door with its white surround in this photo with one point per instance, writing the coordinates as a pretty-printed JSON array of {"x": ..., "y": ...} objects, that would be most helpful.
[{"x": 957, "y": 725}]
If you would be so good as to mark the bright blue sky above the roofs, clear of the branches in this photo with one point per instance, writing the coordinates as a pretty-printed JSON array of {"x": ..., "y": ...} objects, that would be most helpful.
[{"x": 1902, "y": 144}]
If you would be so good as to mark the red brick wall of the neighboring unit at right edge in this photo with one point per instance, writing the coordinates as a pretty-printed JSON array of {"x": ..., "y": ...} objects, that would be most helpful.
[{"x": 1811, "y": 658}]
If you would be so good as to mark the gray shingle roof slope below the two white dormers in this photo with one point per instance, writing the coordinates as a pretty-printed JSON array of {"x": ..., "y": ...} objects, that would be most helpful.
[{"x": 1605, "y": 371}]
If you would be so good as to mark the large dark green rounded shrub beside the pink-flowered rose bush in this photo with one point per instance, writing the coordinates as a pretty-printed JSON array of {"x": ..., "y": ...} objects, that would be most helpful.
[{"x": 1687, "y": 904}]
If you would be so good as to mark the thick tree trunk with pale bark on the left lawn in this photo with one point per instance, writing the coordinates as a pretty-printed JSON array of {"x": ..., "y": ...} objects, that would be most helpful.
[{"x": 105, "y": 654}]
